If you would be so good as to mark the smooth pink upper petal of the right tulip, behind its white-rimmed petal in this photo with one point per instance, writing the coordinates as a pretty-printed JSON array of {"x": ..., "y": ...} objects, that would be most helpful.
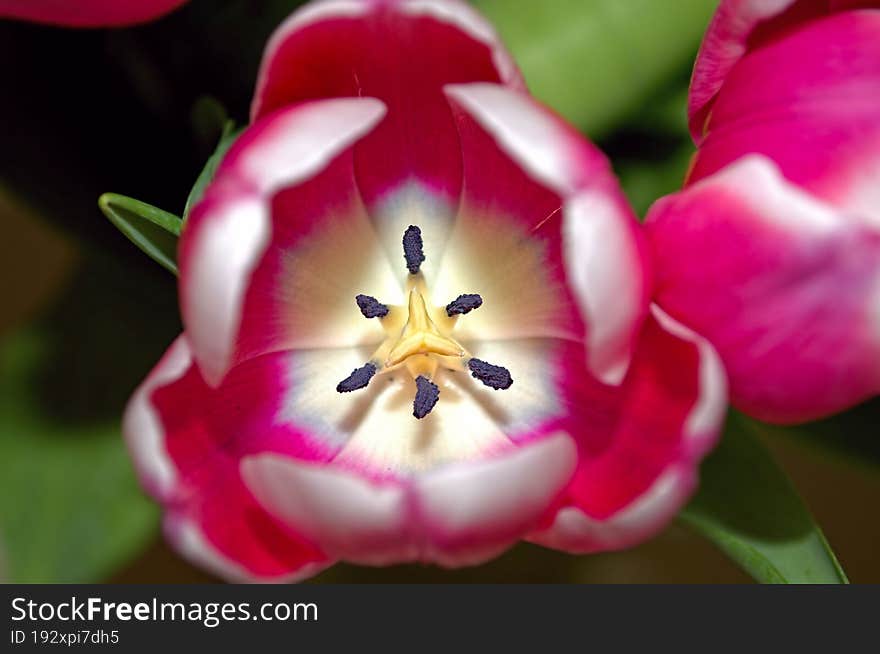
[{"x": 812, "y": 90}]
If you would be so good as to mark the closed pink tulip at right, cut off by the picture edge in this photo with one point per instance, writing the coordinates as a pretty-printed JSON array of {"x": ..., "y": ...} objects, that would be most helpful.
[{"x": 772, "y": 250}]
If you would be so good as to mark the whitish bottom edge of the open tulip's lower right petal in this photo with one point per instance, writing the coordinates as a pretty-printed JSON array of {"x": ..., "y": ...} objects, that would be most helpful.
[{"x": 576, "y": 532}]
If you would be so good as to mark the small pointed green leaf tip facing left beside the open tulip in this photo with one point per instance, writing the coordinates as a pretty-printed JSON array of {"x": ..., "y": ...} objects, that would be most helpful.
[{"x": 153, "y": 230}]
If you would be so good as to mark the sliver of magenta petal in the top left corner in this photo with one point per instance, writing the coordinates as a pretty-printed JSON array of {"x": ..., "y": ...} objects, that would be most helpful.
[{"x": 87, "y": 13}]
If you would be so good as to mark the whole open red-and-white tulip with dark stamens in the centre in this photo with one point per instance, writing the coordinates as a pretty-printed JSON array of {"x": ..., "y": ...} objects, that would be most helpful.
[{"x": 417, "y": 321}]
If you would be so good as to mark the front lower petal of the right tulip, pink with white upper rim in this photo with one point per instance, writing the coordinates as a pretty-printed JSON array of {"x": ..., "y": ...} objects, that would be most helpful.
[{"x": 786, "y": 287}]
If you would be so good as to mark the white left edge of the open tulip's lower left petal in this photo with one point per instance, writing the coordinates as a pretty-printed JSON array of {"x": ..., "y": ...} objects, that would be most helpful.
[{"x": 142, "y": 427}]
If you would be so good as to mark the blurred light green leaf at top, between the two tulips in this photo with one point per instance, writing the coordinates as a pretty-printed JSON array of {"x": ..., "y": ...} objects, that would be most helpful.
[{"x": 597, "y": 61}]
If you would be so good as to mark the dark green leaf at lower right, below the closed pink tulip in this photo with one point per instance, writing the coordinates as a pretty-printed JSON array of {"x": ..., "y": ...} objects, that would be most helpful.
[{"x": 747, "y": 506}]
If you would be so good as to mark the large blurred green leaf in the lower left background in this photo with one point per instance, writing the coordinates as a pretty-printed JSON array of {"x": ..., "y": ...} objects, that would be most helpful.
[{"x": 70, "y": 509}]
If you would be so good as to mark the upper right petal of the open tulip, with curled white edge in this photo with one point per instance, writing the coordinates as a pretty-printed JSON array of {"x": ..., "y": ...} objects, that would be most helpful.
[{"x": 542, "y": 182}]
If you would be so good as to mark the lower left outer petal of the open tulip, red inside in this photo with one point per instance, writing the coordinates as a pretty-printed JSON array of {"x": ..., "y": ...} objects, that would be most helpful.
[{"x": 186, "y": 440}]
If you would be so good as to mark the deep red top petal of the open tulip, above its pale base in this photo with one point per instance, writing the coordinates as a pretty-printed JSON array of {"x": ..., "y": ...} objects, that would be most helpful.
[{"x": 402, "y": 52}]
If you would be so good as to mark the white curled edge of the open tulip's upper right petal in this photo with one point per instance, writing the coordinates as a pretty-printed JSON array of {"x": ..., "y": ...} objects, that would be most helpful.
[{"x": 600, "y": 234}]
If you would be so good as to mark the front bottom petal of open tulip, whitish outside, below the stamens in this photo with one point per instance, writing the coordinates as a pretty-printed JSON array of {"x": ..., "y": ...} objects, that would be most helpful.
[{"x": 460, "y": 514}]
